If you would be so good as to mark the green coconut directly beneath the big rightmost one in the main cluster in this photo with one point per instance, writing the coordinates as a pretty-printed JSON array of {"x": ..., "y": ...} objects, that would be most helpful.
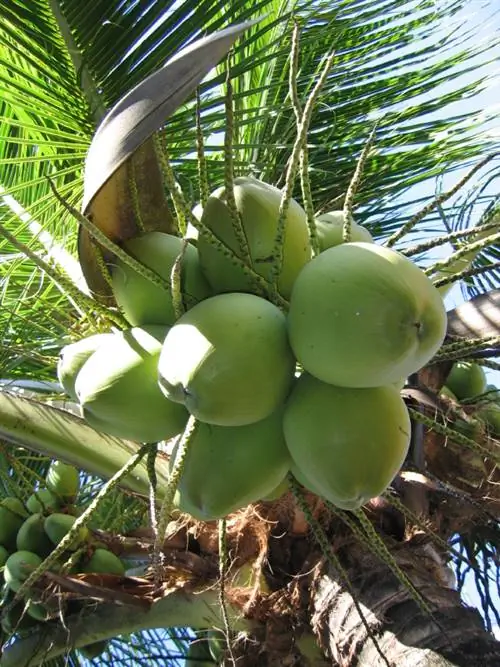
[{"x": 348, "y": 443}]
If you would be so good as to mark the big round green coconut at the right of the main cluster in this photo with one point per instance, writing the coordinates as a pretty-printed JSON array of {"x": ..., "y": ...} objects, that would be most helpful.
[{"x": 364, "y": 316}]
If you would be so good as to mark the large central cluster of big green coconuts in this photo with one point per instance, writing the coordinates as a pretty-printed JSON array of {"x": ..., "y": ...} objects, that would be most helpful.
[{"x": 290, "y": 360}]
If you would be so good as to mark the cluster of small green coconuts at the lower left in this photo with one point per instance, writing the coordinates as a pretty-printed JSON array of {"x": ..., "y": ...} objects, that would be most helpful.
[{"x": 29, "y": 532}]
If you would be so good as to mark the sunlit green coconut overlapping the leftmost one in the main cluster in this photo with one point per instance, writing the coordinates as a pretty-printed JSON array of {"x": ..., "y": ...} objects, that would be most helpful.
[{"x": 118, "y": 388}]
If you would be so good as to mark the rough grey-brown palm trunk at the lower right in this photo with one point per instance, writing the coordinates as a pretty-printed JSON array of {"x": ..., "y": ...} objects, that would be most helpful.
[{"x": 405, "y": 634}]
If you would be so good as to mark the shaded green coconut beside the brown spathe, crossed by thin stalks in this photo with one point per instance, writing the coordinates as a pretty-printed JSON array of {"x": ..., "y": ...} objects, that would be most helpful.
[{"x": 142, "y": 301}]
